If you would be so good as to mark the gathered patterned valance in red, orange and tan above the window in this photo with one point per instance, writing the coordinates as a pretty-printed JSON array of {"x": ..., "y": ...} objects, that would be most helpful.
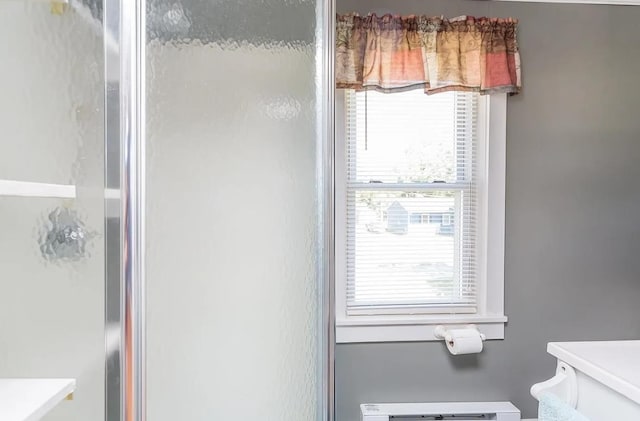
[{"x": 394, "y": 53}]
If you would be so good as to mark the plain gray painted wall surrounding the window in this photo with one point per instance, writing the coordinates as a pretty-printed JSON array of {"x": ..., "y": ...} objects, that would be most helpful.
[{"x": 572, "y": 264}]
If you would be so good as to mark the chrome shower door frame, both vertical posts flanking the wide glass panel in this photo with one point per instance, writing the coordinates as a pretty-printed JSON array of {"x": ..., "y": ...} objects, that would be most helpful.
[{"x": 125, "y": 74}]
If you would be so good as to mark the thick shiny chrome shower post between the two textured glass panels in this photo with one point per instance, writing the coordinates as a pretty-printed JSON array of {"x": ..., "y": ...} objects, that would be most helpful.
[{"x": 125, "y": 386}]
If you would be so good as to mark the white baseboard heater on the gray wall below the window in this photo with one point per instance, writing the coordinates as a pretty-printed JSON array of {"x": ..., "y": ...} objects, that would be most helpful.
[{"x": 458, "y": 411}]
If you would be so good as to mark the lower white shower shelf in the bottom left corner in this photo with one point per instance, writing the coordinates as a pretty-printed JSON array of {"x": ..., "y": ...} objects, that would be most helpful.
[{"x": 31, "y": 399}]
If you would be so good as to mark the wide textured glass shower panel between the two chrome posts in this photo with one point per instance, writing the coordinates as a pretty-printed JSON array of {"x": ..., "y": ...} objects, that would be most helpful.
[{"x": 232, "y": 310}]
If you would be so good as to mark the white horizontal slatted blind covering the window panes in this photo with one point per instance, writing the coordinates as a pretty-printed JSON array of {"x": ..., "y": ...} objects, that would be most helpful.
[{"x": 411, "y": 202}]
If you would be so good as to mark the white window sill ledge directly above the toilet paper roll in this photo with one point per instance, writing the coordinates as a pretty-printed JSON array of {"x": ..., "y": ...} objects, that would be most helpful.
[{"x": 413, "y": 329}]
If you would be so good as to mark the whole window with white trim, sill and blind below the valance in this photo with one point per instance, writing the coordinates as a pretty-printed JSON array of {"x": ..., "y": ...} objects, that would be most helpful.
[{"x": 419, "y": 214}]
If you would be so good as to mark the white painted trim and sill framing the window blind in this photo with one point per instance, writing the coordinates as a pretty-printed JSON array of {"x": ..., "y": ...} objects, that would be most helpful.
[{"x": 490, "y": 318}]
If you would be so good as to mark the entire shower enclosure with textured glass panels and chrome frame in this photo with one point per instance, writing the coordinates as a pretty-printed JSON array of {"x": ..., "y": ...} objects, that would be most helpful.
[{"x": 166, "y": 205}]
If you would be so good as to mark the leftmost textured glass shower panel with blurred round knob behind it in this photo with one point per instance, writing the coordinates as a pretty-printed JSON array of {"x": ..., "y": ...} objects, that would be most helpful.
[{"x": 51, "y": 249}]
